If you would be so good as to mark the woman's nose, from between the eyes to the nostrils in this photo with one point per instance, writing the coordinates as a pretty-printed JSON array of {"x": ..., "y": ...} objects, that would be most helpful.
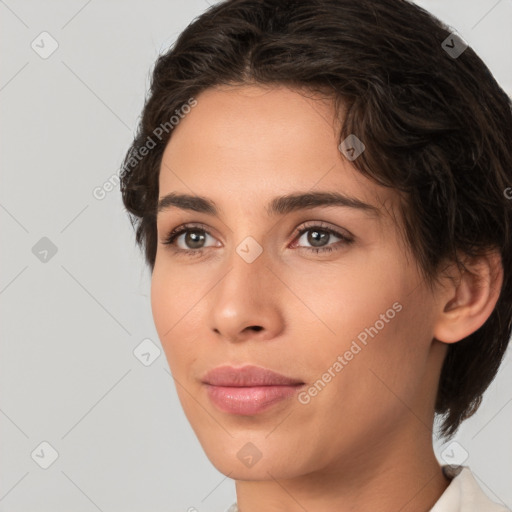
[{"x": 246, "y": 303}]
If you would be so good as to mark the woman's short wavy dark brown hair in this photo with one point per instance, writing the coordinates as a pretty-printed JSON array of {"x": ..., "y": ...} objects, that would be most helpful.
[{"x": 437, "y": 128}]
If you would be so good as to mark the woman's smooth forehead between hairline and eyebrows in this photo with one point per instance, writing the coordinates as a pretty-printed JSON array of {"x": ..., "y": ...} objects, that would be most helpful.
[{"x": 248, "y": 144}]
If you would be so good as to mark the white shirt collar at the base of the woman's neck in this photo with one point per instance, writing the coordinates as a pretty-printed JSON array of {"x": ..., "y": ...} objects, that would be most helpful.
[{"x": 463, "y": 494}]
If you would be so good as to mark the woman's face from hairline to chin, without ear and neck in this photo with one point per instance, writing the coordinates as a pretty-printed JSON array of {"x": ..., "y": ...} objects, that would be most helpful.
[{"x": 321, "y": 292}]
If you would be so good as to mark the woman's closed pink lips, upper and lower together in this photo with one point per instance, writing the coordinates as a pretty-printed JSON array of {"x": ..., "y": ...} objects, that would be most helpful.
[{"x": 248, "y": 390}]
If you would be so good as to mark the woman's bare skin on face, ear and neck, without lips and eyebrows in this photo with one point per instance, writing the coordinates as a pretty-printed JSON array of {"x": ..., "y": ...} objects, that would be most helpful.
[{"x": 365, "y": 441}]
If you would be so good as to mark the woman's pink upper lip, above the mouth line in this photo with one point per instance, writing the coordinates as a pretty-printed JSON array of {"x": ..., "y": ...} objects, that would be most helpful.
[{"x": 247, "y": 376}]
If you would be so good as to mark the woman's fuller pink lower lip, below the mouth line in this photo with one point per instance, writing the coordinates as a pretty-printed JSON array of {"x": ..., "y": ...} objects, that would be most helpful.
[{"x": 248, "y": 400}]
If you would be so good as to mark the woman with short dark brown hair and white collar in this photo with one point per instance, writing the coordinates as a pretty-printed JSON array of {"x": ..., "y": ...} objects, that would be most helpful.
[{"x": 319, "y": 190}]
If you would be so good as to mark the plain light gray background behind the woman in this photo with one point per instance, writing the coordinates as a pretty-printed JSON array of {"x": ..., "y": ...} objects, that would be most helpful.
[{"x": 70, "y": 323}]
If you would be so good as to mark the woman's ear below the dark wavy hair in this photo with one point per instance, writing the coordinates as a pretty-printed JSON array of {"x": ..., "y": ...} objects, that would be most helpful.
[{"x": 468, "y": 298}]
